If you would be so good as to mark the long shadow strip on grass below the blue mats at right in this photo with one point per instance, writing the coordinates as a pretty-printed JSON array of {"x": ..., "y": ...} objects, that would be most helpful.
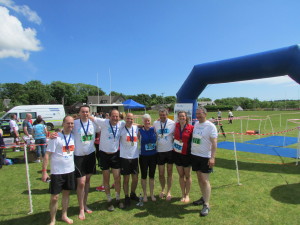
[{"x": 288, "y": 168}]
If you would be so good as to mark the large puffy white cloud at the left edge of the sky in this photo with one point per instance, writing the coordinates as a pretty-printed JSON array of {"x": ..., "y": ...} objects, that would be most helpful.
[{"x": 16, "y": 41}]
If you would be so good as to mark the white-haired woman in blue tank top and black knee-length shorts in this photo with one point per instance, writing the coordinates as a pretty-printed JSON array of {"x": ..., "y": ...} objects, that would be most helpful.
[{"x": 148, "y": 155}]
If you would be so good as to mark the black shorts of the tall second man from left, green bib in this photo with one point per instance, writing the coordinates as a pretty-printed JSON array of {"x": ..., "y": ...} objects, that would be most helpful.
[{"x": 85, "y": 165}]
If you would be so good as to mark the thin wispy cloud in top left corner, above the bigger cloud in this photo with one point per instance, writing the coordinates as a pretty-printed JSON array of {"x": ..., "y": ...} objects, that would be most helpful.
[{"x": 23, "y": 9}]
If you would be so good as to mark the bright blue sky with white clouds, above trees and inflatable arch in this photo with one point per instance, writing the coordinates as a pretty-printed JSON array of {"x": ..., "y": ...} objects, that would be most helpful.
[{"x": 149, "y": 46}]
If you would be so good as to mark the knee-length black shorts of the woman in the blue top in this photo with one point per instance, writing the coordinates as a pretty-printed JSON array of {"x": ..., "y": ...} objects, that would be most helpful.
[{"x": 148, "y": 162}]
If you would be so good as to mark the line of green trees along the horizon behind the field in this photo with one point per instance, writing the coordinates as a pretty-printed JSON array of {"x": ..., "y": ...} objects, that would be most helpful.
[{"x": 35, "y": 92}]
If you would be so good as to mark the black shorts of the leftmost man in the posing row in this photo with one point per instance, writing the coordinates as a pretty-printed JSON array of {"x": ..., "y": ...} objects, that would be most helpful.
[{"x": 61, "y": 182}]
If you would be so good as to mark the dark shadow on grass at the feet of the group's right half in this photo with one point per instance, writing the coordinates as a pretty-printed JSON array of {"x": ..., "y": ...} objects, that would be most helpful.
[{"x": 170, "y": 209}]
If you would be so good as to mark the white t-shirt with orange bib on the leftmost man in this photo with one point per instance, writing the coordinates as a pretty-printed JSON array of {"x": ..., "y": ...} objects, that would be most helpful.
[{"x": 62, "y": 160}]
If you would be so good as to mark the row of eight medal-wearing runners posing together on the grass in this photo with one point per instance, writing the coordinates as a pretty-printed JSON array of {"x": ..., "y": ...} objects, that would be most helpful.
[{"x": 72, "y": 155}]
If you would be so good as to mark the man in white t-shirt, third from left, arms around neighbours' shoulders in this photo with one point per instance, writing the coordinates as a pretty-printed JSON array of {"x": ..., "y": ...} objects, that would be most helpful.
[{"x": 110, "y": 154}]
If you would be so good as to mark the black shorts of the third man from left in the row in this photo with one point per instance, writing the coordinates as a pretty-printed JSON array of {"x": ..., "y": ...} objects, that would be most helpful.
[{"x": 108, "y": 161}]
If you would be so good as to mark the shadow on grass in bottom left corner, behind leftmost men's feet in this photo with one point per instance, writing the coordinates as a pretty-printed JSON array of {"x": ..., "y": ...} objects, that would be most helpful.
[{"x": 44, "y": 217}]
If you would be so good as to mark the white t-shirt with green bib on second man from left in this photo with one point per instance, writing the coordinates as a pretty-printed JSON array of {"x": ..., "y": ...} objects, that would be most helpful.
[{"x": 84, "y": 141}]
